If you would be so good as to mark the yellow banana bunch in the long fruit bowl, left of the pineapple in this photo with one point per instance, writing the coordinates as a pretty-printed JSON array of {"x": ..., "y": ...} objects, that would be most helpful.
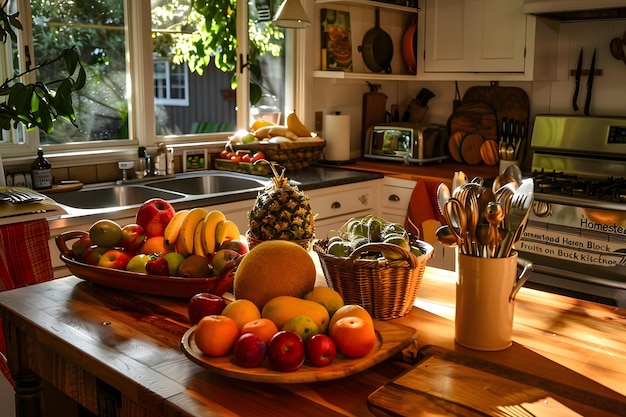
[{"x": 199, "y": 231}]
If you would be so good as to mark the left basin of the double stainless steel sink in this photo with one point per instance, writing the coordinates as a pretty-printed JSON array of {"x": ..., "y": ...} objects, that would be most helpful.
[{"x": 112, "y": 196}]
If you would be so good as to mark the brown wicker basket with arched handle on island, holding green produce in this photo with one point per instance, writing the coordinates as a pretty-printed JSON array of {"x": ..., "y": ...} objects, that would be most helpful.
[{"x": 386, "y": 289}]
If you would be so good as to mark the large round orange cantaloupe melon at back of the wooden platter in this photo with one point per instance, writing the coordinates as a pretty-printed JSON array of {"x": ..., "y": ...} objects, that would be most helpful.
[{"x": 274, "y": 268}]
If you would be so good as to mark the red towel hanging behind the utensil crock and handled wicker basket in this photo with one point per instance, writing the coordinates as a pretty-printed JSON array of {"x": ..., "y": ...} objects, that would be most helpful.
[{"x": 423, "y": 216}]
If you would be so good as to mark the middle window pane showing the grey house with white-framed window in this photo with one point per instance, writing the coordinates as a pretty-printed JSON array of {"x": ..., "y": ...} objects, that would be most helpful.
[{"x": 186, "y": 102}]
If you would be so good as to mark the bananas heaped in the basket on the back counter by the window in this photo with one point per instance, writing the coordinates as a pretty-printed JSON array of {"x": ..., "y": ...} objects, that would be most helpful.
[{"x": 264, "y": 130}]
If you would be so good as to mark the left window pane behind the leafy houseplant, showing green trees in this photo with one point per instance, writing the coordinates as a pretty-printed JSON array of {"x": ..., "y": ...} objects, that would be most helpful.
[{"x": 96, "y": 29}]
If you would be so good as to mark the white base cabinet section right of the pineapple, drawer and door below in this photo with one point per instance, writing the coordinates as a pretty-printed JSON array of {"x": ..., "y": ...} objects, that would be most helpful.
[{"x": 335, "y": 205}]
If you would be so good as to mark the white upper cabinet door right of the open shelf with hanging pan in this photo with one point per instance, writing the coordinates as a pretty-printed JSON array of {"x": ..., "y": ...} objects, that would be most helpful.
[{"x": 474, "y": 36}]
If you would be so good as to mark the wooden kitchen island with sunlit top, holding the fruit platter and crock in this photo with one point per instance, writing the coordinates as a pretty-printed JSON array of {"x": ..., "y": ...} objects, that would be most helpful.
[{"x": 119, "y": 354}]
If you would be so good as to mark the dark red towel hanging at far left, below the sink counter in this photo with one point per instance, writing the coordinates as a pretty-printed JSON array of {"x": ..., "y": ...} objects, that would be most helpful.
[{"x": 24, "y": 260}]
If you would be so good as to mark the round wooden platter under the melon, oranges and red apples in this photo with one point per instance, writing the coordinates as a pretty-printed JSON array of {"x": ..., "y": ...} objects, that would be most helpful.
[{"x": 392, "y": 338}]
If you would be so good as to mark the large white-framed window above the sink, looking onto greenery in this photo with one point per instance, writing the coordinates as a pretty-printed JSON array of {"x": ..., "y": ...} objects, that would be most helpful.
[{"x": 137, "y": 91}]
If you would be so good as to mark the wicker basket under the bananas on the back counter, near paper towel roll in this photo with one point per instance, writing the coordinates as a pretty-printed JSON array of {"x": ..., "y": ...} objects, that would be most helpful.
[{"x": 292, "y": 155}]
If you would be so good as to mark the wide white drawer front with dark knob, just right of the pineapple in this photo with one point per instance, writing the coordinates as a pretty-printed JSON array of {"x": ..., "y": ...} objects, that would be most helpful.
[{"x": 343, "y": 202}]
